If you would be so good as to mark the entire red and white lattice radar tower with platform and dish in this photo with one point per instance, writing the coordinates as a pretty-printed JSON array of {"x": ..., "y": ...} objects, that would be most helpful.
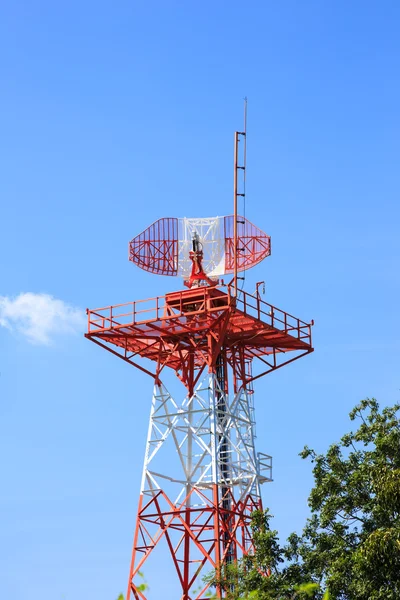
[{"x": 209, "y": 335}]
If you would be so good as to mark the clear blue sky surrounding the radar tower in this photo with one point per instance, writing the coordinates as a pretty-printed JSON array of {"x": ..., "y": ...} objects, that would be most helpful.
[{"x": 112, "y": 116}]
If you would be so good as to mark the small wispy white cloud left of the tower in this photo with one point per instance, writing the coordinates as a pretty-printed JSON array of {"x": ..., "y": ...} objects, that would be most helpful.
[{"x": 40, "y": 317}]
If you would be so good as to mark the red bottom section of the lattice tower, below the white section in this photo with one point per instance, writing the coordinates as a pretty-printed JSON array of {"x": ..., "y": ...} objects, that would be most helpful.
[{"x": 200, "y": 532}]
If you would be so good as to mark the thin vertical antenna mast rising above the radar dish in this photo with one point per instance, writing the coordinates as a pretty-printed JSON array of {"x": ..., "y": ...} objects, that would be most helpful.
[{"x": 236, "y": 193}]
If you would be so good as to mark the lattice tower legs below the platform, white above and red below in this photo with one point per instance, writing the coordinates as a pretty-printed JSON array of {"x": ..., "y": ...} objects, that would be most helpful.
[{"x": 201, "y": 509}]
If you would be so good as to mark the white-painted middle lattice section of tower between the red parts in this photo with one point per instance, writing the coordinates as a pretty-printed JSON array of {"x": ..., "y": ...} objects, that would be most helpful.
[{"x": 184, "y": 442}]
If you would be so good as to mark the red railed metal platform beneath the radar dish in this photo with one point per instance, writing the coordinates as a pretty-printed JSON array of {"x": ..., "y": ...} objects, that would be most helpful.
[{"x": 193, "y": 325}]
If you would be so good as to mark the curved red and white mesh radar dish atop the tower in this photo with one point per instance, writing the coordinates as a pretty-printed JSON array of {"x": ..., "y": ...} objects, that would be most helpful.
[{"x": 166, "y": 247}]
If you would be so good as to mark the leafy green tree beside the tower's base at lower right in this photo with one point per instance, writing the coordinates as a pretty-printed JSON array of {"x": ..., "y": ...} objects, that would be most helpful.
[{"x": 351, "y": 543}]
